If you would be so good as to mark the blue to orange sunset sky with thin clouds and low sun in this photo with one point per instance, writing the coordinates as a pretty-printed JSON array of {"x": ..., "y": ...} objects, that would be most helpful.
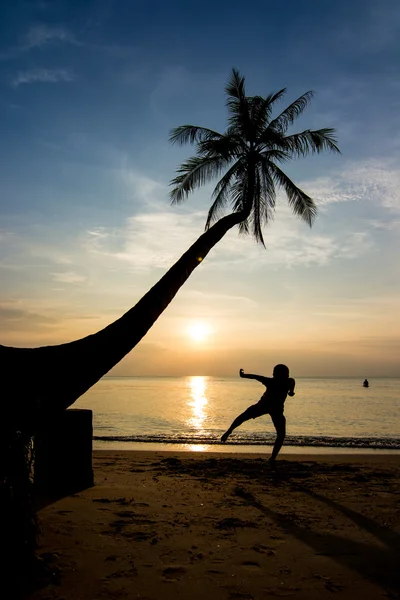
[{"x": 89, "y": 93}]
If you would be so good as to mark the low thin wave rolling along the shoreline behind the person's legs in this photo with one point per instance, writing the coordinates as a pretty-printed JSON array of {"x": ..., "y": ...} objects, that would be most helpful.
[{"x": 316, "y": 441}]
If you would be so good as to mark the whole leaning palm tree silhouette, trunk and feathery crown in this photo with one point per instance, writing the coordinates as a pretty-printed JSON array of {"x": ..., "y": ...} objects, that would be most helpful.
[{"x": 48, "y": 379}]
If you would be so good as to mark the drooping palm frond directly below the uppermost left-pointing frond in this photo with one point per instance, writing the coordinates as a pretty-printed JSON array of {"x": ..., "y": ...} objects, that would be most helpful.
[{"x": 195, "y": 172}]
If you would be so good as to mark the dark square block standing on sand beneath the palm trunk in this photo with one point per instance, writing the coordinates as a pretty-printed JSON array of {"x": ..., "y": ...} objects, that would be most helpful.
[{"x": 63, "y": 456}]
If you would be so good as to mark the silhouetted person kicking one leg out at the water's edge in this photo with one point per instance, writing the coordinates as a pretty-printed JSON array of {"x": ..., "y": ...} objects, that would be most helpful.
[{"x": 271, "y": 403}]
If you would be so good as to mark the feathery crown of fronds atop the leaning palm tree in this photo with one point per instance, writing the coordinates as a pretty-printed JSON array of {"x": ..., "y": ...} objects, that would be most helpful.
[{"x": 249, "y": 152}]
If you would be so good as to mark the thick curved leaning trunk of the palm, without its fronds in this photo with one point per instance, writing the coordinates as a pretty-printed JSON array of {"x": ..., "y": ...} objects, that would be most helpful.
[{"x": 46, "y": 380}]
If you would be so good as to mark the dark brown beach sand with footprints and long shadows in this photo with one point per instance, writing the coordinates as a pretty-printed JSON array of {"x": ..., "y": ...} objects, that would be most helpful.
[{"x": 167, "y": 525}]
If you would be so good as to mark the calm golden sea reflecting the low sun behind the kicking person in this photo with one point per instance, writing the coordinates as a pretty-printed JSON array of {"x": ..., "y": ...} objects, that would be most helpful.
[{"x": 191, "y": 413}]
